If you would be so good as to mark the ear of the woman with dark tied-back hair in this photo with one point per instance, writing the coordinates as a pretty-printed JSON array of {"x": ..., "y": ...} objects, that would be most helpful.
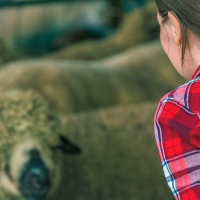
[{"x": 175, "y": 27}]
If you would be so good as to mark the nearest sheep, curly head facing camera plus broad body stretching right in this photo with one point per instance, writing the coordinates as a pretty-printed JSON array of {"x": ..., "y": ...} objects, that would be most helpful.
[{"x": 119, "y": 159}]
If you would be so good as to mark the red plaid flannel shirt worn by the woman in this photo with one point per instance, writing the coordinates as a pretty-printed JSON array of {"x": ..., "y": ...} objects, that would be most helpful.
[{"x": 177, "y": 132}]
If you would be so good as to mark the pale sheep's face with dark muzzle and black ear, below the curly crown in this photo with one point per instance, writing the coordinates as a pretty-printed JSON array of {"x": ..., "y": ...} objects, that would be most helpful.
[{"x": 33, "y": 170}]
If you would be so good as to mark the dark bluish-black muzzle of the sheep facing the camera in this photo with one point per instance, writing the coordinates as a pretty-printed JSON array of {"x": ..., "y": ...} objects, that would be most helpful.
[{"x": 34, "y": 179}]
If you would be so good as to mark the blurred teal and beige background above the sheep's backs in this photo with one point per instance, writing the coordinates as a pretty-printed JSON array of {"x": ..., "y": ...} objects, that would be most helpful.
[{"x": 35, "y": 27}]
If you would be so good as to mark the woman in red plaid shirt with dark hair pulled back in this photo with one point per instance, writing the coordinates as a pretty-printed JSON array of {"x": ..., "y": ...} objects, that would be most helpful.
[{"x": 177, "y": 119}]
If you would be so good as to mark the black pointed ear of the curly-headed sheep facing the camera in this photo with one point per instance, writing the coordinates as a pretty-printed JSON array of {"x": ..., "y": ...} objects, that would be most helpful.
[{"x": 67, "y": 147}]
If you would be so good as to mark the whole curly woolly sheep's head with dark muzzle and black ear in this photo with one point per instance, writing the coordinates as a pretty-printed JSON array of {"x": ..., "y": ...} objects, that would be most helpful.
[{"x": 30, "y": 140}]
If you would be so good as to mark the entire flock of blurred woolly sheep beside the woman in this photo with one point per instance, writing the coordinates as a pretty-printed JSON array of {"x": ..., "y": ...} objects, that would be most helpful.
[{"x": 99, "y": 106}]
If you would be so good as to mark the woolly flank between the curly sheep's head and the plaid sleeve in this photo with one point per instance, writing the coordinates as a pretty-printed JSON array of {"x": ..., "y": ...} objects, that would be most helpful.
[{"x": 119, "y": 158}]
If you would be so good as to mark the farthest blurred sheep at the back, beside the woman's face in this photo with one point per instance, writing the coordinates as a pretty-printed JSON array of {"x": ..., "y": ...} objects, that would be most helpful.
[{"x": 137, "y": 27}]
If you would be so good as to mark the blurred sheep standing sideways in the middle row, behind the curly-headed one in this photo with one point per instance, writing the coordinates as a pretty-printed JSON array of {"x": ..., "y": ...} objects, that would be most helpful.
[{"x": 74, "y": 86}]
